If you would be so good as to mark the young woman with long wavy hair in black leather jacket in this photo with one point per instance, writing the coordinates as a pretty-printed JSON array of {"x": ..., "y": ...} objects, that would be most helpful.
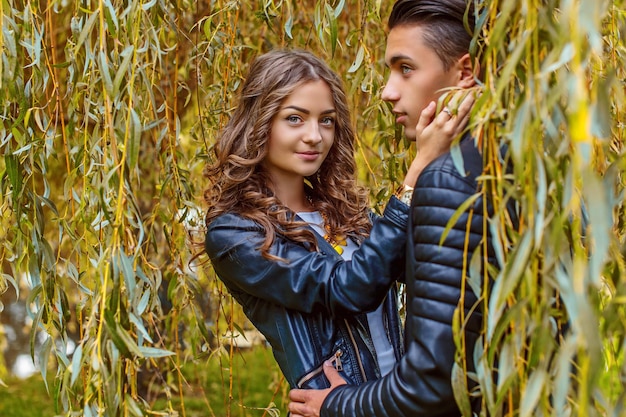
[{"x": 290, "y": 233}]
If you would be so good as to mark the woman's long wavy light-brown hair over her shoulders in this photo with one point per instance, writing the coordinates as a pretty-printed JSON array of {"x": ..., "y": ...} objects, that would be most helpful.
[{"x": 237, "y": 180}]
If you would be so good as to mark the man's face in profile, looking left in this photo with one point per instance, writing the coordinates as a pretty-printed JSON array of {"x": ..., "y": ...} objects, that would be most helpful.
[{"x": 416, "y": 76}]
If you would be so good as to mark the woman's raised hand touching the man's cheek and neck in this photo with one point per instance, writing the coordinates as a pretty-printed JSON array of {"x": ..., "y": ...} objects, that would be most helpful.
[{"x": 435, "y": 132}]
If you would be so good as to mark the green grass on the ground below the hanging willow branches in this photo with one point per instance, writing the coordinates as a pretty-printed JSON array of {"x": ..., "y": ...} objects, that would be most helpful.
[{"x": 256, "y": 383}]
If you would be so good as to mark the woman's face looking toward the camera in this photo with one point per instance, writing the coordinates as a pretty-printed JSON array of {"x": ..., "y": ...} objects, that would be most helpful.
[{"x": 302, "y": 133}]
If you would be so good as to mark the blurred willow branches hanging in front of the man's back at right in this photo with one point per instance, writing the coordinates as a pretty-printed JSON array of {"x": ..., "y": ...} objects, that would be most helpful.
[{"x": 553, "y": 336}]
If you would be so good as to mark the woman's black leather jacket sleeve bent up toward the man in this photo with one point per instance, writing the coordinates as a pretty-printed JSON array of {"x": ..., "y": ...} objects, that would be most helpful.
[{"x": 310, "y": 281}]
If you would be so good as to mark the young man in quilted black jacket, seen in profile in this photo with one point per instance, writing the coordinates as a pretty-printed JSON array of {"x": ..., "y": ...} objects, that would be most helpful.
[{"x": 427, "y": 51}]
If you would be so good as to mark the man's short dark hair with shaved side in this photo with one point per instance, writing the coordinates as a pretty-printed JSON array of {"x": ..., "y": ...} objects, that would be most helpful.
[{"x": 447, "y": 25}]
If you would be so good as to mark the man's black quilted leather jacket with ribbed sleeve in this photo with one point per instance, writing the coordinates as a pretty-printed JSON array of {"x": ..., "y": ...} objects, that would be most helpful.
[{"x": 420, "y": 384}]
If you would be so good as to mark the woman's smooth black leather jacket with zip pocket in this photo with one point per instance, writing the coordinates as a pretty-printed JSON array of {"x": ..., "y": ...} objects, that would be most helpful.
[{"x": 310, "y": 307}]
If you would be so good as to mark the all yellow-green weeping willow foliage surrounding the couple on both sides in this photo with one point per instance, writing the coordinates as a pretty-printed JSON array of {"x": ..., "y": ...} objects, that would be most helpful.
[{"x": 108, "y": 113}]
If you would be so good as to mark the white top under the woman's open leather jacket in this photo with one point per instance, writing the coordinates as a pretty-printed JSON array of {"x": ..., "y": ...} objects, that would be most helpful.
[{"x": 384, "y": 350}]
